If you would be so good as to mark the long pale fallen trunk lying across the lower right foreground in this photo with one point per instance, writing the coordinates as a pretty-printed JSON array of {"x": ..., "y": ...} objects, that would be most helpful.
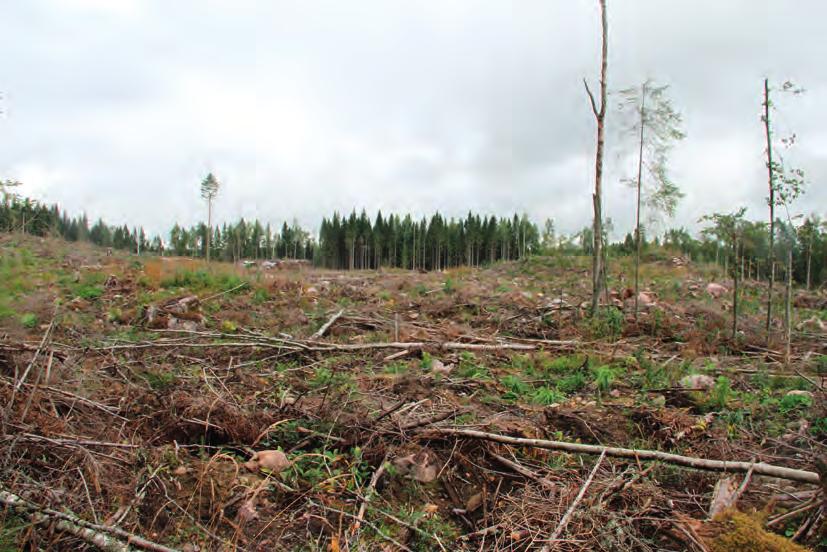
[{"x": 759, "y": 468}]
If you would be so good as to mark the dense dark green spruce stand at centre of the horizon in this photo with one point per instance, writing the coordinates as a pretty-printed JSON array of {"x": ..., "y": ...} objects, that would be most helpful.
[{"x": 435, "y": 243}]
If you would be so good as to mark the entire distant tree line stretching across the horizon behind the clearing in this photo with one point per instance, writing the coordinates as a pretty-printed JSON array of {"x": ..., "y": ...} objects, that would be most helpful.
[{"x": 356, "y": 242}]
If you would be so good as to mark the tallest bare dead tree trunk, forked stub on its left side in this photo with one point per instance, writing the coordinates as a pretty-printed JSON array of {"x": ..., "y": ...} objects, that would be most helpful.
[{"x": 600, "y": 116}]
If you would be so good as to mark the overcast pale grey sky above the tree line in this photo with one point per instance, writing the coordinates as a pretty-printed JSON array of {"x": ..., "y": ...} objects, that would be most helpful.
[{"x": 120, "y": 107}]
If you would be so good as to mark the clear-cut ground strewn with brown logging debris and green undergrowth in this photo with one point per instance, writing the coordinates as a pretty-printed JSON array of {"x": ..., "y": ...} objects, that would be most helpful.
[{"x": 136, "y": 391}]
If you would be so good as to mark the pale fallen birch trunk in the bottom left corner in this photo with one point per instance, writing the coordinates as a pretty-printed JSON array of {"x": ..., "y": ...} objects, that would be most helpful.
[{"x": 106, "y": 538}]
